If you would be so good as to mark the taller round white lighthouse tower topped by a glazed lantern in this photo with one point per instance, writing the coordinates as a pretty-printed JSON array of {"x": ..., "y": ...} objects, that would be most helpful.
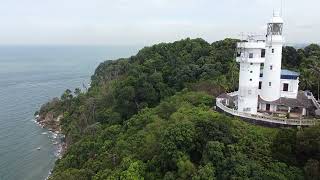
[{"x": 271, "y": 80}]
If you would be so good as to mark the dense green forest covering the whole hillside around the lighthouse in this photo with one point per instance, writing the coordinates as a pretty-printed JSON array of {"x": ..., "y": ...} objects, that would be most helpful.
[{"x": 151, "y": 116}]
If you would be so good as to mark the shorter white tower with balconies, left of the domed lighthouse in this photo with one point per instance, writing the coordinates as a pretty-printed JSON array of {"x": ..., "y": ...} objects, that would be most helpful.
[{"x": 250, "y": 54}]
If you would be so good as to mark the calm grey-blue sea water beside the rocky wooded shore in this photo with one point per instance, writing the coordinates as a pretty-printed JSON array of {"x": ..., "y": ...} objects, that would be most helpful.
[{"x": 29, "y": 77}]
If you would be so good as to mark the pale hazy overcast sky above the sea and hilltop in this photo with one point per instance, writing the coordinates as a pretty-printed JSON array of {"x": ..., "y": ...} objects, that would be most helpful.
[{"x": 144, "y": 22}]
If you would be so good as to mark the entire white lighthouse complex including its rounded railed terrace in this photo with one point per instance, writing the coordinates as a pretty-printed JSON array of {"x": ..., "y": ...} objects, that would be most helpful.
[{"x": 265, "y": 88}]
